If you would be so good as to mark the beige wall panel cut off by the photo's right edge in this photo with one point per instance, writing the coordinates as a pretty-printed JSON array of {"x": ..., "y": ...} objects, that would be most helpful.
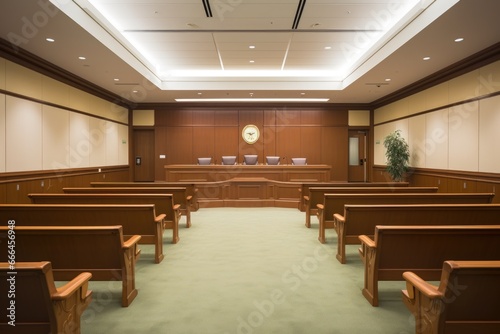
[{"x": 489, "y": 135}]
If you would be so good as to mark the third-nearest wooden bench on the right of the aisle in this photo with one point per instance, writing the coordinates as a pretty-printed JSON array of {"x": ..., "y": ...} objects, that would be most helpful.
[{"x": 362, "y": 219}]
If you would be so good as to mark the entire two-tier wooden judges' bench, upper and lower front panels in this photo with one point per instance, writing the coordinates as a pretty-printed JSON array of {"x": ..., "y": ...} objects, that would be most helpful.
[{"x": 248, "y": 186}]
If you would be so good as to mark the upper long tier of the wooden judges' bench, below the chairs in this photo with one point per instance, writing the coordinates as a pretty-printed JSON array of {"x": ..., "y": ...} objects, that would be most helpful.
[{"x": 215, "y": 173}]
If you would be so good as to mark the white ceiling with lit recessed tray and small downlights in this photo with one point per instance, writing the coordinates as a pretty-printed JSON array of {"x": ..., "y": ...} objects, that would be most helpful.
[{"x": 161, "y": 50}]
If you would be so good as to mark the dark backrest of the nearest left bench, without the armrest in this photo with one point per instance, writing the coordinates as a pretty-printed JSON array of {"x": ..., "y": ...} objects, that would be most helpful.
[{"x": 33, "y": 285}]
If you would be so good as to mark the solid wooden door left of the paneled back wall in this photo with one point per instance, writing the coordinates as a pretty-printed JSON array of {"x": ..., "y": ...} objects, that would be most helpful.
[{"x": 144, "y": 151}]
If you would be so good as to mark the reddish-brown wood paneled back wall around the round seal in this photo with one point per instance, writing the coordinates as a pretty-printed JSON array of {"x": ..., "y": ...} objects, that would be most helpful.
[{"x": 319, "y": 134}]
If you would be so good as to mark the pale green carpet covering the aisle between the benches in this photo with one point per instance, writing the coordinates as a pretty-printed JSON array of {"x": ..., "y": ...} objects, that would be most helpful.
[{"x": 243, "y": 271}]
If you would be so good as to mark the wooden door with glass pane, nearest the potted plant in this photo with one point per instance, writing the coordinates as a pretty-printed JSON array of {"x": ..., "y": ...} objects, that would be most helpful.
[{"x": 357, "y": 156}]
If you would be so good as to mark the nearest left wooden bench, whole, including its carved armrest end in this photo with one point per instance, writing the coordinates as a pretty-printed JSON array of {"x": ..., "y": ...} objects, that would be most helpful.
[{"x": 40, "y": 307}]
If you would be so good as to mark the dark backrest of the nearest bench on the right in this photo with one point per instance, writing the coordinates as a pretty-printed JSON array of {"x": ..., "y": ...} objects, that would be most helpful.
[{"x": 471, "y": 295}]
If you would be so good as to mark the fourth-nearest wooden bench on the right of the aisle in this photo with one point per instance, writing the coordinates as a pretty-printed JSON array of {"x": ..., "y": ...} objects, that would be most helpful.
[{"x": 334, "y": 203}]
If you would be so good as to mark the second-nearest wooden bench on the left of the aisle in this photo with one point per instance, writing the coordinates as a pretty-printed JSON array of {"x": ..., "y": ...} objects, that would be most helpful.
[{"x": 100, "y": 250}]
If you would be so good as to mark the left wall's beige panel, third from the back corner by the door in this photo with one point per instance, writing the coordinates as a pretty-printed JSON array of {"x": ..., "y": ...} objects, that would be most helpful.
[{"x": 79, "y": 143}]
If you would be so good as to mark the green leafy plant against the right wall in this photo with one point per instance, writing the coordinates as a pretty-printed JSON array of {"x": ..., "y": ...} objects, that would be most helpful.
[{"x": 398, "y": 155}]
